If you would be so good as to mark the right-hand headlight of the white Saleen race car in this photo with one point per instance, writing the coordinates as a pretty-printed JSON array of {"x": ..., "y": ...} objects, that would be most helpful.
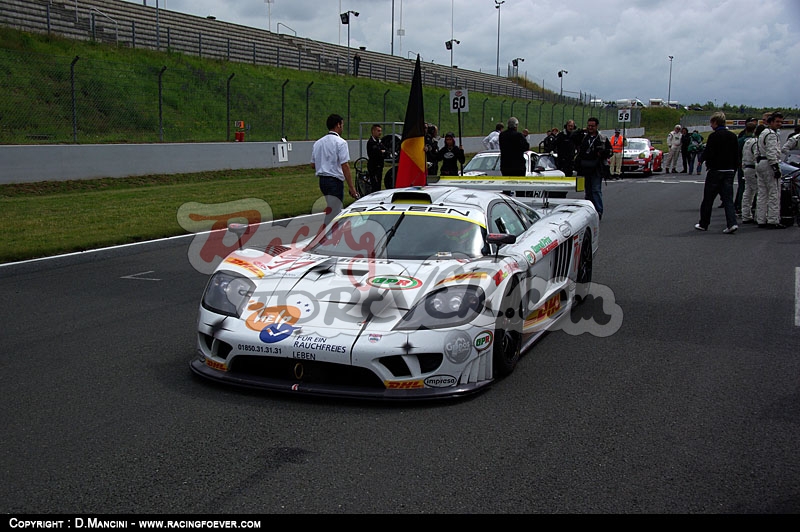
[{"x": 447, "y": 307}]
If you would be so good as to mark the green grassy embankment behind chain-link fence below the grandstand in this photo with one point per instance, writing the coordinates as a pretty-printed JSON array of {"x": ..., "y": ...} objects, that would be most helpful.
[{"x": 71, "y": 99}]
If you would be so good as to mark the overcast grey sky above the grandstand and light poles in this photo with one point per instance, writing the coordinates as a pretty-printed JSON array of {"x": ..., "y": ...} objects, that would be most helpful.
[{"x": 740, "y": 52}]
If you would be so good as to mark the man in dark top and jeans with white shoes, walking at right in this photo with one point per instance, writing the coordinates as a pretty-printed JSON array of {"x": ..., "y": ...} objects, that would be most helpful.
[{"x": 721, "y": 162}]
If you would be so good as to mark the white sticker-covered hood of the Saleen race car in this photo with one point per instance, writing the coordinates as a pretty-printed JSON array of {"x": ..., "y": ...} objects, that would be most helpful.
[{"x": 344, "y": 293}]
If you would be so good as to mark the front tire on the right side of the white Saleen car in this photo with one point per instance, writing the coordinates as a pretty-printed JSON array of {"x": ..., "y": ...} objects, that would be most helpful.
[{"x": 508, "y": 333}]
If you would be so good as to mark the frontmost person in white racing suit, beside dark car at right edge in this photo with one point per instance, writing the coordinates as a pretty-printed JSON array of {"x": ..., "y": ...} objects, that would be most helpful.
[{"x": 768, "y": 154}]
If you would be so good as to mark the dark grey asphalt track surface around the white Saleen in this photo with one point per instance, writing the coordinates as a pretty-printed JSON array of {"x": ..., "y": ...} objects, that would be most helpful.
[{"x": 692, "y": 406}]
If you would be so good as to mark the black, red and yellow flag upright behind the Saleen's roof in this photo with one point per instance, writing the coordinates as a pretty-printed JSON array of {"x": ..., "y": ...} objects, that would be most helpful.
[{"x": 412, "y": 169}]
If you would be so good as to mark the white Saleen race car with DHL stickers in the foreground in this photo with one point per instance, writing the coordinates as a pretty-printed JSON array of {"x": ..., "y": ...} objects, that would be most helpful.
[{"x": 414, "y": 293}]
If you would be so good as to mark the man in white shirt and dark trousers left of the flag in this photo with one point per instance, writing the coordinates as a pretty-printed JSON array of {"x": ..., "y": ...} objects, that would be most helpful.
[{"x": 330, "y": 159}]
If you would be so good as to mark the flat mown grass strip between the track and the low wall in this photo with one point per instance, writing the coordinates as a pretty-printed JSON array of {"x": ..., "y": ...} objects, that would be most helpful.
[{"x": 44, "y": 219}]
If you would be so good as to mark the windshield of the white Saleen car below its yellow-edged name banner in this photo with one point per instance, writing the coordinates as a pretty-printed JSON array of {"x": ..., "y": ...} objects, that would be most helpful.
[{"x": 414, "y": 237}]
